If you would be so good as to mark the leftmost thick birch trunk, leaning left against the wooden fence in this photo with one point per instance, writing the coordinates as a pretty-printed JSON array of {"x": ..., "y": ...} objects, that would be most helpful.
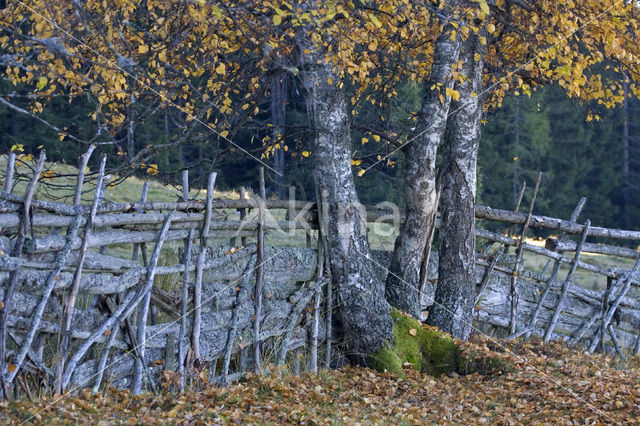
[{"x": 362, "y": 307}]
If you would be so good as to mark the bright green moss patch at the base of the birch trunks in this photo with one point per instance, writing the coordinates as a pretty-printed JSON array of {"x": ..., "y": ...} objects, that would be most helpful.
[{"x": 429, "y": 350}]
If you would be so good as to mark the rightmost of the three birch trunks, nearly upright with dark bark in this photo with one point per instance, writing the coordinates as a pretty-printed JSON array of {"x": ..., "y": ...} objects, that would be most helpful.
[{"x": 455, "y": 295}]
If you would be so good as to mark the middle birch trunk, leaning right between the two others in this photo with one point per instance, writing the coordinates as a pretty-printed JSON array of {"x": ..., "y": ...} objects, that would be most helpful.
[{"x": 419, "y": 182}]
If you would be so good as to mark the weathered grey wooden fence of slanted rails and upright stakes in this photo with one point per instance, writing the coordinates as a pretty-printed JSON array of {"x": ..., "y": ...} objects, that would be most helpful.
[{"x": 74, "y": 316}]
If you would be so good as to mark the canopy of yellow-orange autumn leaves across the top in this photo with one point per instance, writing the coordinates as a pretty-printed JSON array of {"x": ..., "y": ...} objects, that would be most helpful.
[{"x": 201, "y": 72}]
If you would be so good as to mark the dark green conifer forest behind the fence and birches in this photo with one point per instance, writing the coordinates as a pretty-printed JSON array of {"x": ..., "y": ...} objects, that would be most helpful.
[{"x": 580, "y": 148}]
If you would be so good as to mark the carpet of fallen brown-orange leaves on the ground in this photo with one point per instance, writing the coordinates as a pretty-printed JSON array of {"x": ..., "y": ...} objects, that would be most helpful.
[{"x": 549, "y": 384}]
